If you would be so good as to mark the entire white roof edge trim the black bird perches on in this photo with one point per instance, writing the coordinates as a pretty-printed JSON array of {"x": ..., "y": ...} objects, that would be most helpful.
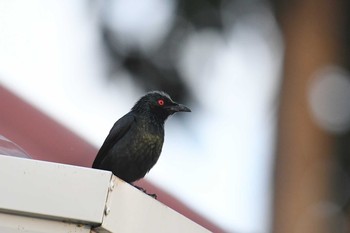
[{"x": 36, "y": 192}]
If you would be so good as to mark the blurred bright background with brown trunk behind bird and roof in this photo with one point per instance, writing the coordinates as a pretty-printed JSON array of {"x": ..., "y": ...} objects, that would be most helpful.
[{"x": 265, "y": 147}]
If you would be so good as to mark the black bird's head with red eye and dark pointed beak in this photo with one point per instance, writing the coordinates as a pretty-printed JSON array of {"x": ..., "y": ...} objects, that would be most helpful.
[{"x": 158, "y": 104}]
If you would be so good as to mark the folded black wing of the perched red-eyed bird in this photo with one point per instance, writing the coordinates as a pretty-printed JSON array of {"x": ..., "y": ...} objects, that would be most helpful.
[{"x": 118, "y": 130}]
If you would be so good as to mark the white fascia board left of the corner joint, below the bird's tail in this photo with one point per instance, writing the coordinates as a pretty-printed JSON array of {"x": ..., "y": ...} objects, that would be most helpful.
[{"x": 52, "y": 190}]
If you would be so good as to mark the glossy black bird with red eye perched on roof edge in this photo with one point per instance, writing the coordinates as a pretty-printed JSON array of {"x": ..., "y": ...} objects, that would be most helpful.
[{"x": 135, "y": 142}]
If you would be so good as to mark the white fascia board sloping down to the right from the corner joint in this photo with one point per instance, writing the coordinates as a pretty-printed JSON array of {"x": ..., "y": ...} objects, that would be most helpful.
[{"x": 130, "y": 210}]
